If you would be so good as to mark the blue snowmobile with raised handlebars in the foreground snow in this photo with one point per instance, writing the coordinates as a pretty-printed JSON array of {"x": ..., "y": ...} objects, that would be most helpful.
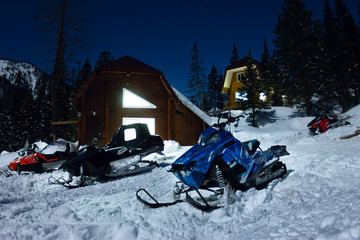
[{"x": 219, "y": 163}]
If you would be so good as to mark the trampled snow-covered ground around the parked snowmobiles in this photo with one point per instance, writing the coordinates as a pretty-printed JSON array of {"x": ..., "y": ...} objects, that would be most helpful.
[{"x": 318, "y": 200}]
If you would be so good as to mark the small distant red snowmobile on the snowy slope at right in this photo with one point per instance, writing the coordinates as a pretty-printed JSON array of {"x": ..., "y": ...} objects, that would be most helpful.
[{"x": 322, "y": 123}]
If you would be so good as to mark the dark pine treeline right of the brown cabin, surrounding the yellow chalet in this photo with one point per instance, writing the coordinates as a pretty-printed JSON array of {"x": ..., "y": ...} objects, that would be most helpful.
[{"x": 314, "y": 63}]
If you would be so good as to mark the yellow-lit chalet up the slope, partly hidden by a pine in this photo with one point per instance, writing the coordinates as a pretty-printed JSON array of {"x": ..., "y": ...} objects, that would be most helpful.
[{"x": 233, "y": 81}]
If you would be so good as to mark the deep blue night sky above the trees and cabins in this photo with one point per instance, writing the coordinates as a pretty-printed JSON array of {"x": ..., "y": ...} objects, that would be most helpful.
[{"x": 158, "y": 33}]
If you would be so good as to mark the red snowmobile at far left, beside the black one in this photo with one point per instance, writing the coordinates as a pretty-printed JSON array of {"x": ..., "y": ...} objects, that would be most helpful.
[{"x": 47, "y": 160}]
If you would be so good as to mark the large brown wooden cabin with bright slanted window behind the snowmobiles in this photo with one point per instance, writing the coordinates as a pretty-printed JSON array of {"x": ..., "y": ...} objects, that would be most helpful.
[{"x": 126, "y": 91}]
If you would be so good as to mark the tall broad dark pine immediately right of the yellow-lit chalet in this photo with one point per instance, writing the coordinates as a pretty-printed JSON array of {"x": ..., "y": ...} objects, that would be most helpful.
[{"x": 296, "y": 48}]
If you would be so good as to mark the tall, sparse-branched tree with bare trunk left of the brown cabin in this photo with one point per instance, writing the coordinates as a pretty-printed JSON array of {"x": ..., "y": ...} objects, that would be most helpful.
[{"x": 61, "y": 21}]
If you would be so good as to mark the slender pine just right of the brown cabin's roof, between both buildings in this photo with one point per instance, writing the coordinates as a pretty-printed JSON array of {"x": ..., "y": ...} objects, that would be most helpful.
[{"x": 197, "y": 83}]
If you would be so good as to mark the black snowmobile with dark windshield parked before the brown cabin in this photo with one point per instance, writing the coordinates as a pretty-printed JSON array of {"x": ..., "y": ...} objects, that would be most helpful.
[{"x": 122, "y": 156}]
